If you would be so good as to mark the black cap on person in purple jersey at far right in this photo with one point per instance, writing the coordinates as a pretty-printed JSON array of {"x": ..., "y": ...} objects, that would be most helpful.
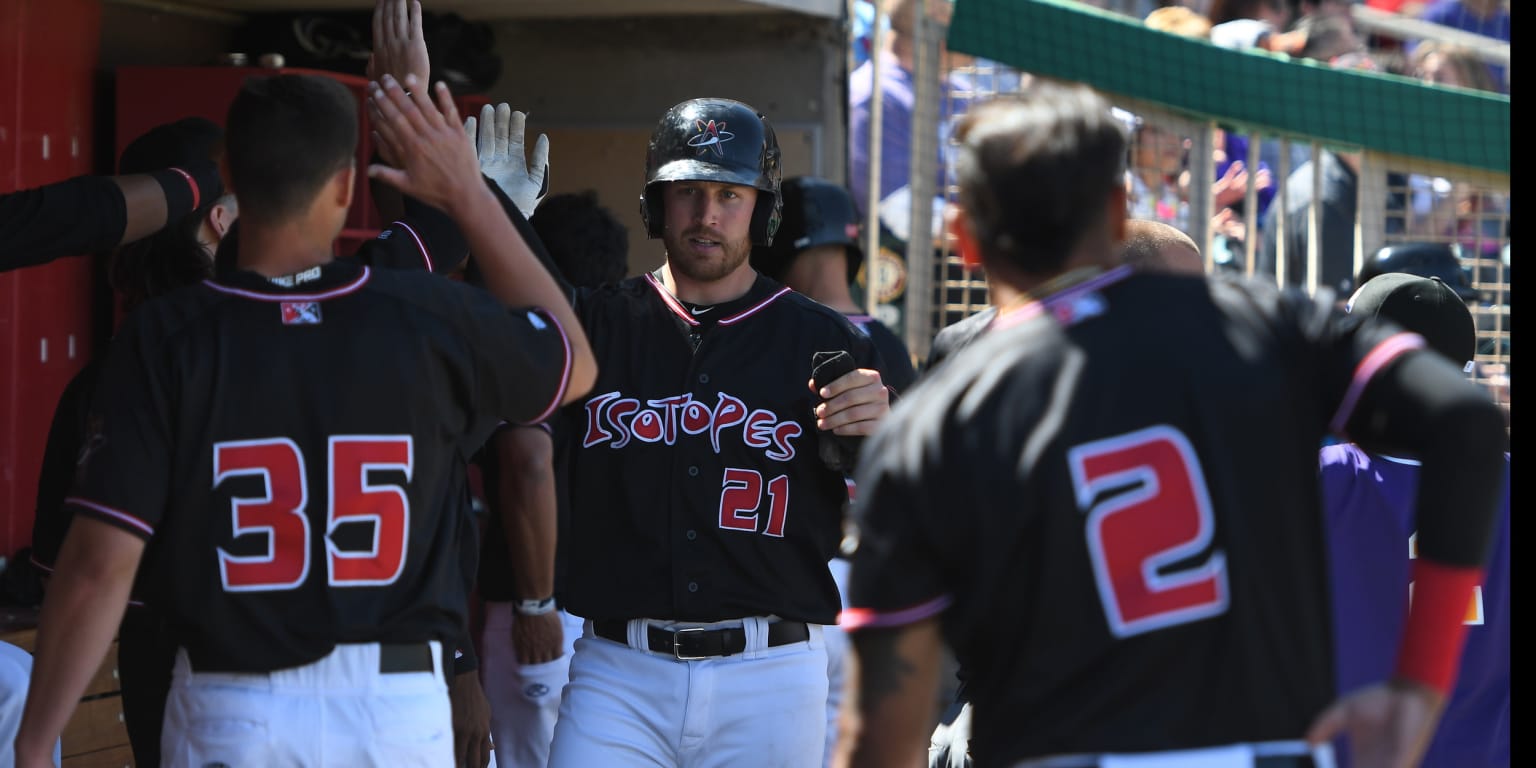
[{"x": 1426, "y": 306}]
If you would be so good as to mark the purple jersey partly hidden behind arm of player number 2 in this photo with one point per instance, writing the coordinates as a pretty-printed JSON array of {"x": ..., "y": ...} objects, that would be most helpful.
[{"x": 1369, "y": 503}]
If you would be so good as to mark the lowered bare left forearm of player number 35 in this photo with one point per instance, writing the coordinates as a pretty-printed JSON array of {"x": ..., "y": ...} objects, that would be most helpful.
[{"x": 82, "y": 612}]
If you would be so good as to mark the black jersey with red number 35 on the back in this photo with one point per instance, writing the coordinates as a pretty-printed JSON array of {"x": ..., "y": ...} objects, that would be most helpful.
[{"x": 300, "y": 449}]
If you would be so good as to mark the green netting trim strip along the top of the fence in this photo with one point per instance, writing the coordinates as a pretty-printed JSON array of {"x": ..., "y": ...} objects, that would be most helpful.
[{"x": 1246, "y": 90}]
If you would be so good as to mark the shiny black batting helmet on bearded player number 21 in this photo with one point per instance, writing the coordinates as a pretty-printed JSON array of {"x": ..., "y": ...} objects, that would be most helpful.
[{"x": 715, "y": 141}]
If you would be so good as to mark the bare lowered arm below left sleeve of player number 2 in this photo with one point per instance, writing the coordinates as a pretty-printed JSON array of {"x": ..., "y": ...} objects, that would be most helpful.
[{"x": 895, "y": 690}]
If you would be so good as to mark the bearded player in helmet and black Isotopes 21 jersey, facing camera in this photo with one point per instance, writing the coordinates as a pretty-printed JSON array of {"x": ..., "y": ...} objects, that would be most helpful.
[{"x": 707, "y": 475}]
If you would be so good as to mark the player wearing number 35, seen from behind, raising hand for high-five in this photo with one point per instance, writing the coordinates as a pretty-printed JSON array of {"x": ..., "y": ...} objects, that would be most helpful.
[{"x": 311, "y": 575}]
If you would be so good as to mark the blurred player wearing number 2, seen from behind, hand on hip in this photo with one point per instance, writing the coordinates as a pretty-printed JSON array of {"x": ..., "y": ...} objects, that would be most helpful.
[{"x": 1110, "y": 502}]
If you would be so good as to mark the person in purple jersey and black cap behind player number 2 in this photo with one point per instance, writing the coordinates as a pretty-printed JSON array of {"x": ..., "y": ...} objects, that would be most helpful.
[{"x": 1369, "y": 503}]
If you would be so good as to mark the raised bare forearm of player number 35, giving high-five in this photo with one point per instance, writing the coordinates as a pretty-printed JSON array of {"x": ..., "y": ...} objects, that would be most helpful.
[{"x": 517, "y": 277}]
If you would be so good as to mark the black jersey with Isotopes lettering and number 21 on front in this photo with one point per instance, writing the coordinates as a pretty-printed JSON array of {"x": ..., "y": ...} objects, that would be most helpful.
[{"x": 697, "y": 489}]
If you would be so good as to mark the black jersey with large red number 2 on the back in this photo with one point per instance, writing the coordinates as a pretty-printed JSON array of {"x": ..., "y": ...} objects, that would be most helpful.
[{"x": 1111, "y": 498}]
